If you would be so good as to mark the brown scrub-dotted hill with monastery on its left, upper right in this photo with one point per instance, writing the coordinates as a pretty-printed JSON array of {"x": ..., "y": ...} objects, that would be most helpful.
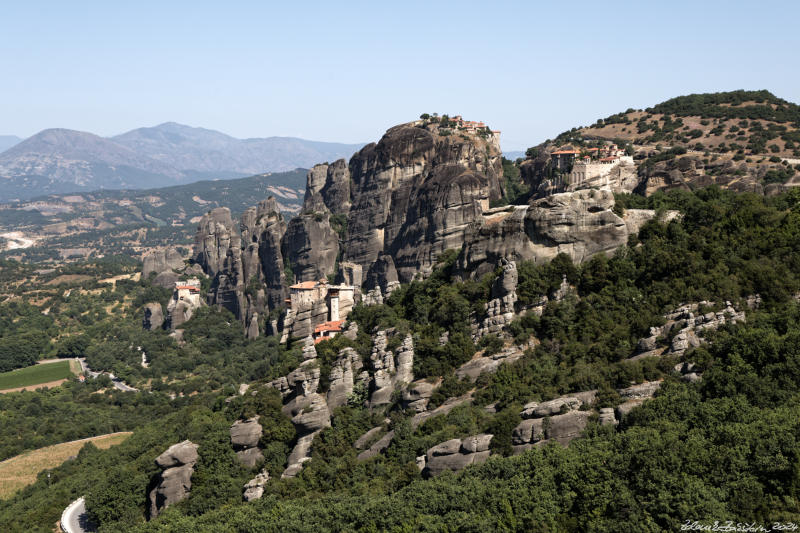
[{"x": 740, "y": 140}]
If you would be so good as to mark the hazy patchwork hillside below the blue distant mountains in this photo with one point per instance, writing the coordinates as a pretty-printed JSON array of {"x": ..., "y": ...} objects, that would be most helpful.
[{"x": 127, "y": 221}]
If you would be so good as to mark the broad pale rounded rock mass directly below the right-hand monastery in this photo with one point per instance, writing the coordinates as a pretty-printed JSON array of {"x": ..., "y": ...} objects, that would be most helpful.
[{"x": 579, "y": 224}]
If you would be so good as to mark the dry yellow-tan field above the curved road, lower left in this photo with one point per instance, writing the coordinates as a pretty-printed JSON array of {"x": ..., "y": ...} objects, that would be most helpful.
[{"x": 20, "y": 471}]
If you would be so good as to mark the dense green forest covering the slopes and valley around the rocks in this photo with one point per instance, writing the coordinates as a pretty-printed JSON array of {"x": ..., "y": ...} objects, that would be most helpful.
[{"x": 726, "y": 447}]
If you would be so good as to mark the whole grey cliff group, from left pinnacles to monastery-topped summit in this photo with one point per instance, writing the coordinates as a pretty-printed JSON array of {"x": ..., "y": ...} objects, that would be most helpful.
[{"x": 388, "y": 214}]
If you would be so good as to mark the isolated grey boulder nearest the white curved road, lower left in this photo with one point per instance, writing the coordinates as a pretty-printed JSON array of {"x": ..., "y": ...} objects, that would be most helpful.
[{"x": 174, "y": 483}]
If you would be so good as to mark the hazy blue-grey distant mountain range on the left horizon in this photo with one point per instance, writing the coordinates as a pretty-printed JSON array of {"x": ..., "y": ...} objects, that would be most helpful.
[{"x": 62, "y": 160}]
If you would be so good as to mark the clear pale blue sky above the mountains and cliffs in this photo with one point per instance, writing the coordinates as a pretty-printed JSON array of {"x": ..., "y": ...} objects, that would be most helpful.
[{"x": 347, "y": 71}]
